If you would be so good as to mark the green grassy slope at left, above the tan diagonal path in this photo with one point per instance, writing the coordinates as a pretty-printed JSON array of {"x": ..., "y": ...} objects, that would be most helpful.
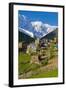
[{"x": 24, "y": 63}]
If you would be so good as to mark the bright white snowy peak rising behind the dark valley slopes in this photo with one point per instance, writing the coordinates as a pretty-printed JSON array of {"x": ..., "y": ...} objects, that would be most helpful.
[{"x": 42, "y": 29}]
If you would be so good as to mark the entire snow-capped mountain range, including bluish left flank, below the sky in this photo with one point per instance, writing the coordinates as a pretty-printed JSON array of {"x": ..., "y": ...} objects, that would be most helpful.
[{"x": 34, "y": 28}]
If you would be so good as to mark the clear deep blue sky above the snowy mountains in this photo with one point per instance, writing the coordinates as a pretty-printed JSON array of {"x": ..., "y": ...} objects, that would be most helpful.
[{"x": 46, "y": 17}]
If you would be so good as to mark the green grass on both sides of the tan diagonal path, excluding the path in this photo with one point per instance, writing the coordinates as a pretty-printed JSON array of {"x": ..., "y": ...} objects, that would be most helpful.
[{"x": 25, "y": 66}]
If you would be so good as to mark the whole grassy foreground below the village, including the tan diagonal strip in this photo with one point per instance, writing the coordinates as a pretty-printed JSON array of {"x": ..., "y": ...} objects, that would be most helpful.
[{"x": 28, "y": 70}]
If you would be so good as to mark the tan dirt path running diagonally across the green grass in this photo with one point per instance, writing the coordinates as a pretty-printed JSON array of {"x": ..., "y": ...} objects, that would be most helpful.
[{"x": 52, "y": 64}]
